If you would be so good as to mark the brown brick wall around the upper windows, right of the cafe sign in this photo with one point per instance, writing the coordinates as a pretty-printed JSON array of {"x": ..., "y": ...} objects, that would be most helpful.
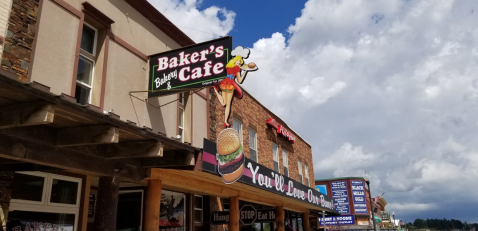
[{"x": 254, "y": 115}]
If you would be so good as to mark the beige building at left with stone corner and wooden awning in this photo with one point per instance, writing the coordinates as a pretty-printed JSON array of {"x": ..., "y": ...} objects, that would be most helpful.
[{"x": 74, "y": 103}]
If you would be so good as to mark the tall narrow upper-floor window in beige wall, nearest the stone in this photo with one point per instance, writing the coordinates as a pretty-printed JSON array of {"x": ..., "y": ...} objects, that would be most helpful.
[{"x": 84, "y": 76}]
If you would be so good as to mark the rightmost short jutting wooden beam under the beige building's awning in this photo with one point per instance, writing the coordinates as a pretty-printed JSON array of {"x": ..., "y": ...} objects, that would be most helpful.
[{"x": 171, "y": 159}]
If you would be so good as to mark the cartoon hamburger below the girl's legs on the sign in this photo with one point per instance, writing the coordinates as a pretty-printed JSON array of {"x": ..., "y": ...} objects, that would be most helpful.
[{"x": 229, "y": 155}]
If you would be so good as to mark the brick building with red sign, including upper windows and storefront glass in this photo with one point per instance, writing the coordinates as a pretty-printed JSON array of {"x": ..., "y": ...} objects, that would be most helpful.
[{"x": 268, "y": 141}]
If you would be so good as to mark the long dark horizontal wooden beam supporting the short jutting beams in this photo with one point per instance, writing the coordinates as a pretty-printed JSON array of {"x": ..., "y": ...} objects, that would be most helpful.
[{"x": 63, "y": 158}]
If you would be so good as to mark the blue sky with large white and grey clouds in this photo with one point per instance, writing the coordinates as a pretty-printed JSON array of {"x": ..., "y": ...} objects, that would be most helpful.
[{"x": 388, "y": 87}]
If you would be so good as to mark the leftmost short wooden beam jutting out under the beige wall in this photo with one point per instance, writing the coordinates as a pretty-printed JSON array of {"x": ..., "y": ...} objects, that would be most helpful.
[{"x": 26, "y": 114}]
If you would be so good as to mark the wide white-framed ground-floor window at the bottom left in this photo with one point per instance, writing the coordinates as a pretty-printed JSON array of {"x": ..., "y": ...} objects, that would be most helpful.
[{"x": 46, "y": 200}]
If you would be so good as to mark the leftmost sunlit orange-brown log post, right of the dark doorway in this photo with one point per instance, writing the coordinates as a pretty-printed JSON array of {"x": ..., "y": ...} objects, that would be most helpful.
[{"x": 153, "y": 202}]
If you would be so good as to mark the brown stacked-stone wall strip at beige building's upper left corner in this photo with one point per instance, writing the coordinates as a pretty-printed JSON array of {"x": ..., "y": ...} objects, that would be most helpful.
[{"x": 18, "y": 44}]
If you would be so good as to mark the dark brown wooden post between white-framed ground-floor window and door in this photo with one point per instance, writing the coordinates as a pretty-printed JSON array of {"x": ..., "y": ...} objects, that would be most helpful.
[{"x": 107, "y": 204}]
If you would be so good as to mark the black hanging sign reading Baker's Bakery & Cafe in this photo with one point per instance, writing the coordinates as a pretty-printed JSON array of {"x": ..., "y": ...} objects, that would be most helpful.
[{"x": 192, "y": 67}]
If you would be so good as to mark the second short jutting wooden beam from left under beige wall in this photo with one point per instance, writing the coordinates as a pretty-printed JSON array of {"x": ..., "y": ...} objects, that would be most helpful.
[{"x": 87, "y": 135}]
